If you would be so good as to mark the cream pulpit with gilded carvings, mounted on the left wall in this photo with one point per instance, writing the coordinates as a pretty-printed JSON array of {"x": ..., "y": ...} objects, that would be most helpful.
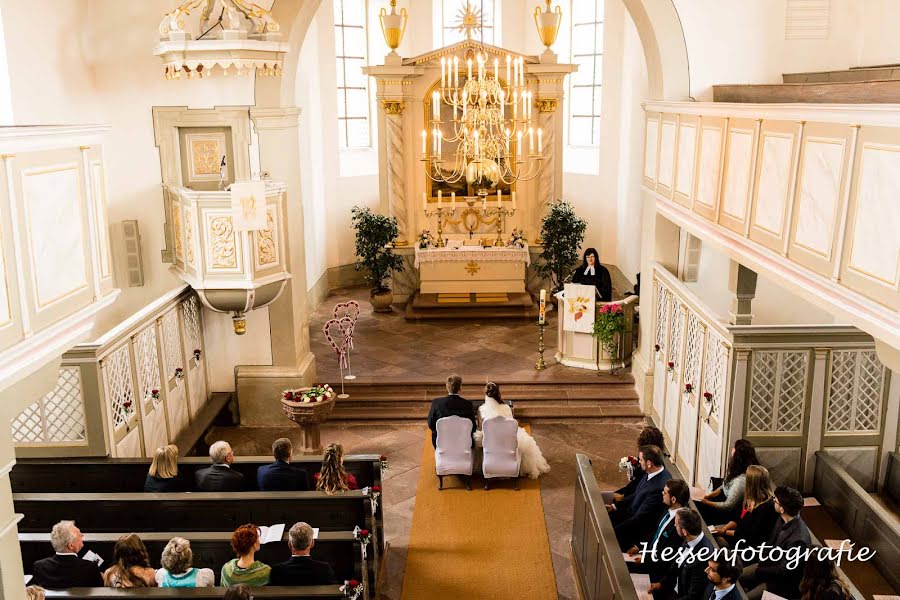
[{"x": 233, "y": 270}]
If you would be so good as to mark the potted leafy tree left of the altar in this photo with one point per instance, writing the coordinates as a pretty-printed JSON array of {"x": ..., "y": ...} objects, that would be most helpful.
[{"x": 375, "y": 235}]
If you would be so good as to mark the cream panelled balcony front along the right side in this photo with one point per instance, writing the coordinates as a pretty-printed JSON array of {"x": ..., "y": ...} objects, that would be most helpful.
[{"x": 804, "y": 192}]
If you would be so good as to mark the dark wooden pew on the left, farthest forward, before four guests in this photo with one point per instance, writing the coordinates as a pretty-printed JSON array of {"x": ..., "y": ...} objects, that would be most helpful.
[{"x": 128, "y": 474}]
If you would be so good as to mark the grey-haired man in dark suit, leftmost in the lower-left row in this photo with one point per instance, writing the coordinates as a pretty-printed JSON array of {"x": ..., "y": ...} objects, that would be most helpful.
[{"x": 64, "y": 569}]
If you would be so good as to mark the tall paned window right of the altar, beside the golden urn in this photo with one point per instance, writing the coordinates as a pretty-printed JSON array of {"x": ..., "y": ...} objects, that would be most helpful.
[{"x": 586, "y": 51}]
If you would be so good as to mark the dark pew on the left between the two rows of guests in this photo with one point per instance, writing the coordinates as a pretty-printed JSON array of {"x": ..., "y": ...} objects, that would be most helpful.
[{"x": 197, "y": 511}]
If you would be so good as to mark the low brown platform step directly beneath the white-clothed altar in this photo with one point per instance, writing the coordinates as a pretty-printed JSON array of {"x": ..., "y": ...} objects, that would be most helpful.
[{"x": 471, "y": 306}]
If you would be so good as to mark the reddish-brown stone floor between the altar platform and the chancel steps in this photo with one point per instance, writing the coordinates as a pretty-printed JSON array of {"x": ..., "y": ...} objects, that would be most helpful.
[{"x": 388, "y": 346}]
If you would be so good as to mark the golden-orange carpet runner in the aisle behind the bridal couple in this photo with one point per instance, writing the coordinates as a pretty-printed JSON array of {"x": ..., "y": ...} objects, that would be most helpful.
[{"x": 480, "y": 544}]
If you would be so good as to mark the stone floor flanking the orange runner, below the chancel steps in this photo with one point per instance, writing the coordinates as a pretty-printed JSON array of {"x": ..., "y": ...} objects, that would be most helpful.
[{"x": 603, "y": 443}]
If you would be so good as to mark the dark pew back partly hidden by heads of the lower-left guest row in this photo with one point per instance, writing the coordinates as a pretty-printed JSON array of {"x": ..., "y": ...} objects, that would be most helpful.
[{"x": 212, "y": 550}]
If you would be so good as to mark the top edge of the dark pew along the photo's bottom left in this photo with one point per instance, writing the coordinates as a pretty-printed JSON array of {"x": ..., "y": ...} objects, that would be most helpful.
[{"x": 298, "y": 593}]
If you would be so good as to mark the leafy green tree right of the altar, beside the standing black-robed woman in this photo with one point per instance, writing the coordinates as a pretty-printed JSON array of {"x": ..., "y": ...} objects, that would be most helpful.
[{"x": 562, "y": 232}]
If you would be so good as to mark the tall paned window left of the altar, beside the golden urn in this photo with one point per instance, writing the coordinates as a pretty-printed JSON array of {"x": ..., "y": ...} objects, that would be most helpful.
[{"x": 351, "y": 55}]
